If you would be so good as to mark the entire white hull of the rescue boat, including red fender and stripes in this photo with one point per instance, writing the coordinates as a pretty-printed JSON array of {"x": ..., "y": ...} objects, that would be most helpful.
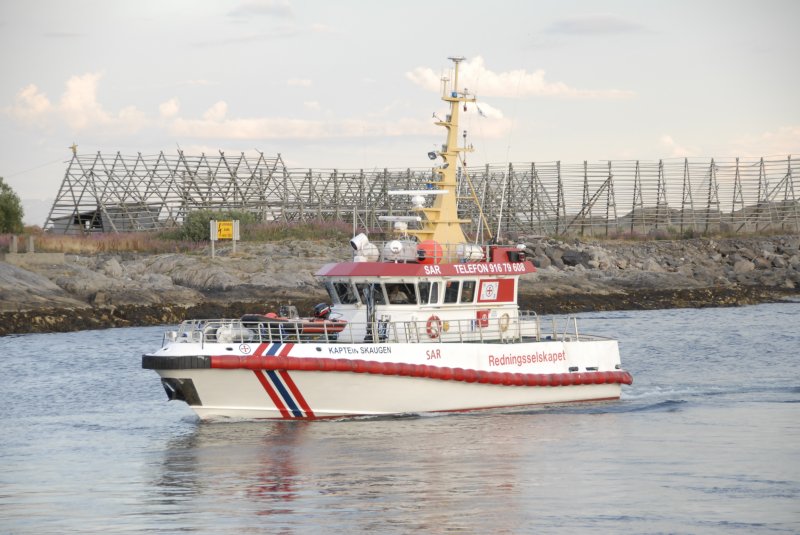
[{"x": 290, "y": 381}]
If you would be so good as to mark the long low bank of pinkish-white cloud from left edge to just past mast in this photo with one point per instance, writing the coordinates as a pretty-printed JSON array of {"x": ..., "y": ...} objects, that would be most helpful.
[{"x": 81, "y": 111}]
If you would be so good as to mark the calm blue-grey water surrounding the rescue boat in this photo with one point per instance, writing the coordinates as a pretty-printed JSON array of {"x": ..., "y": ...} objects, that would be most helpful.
[{"x": 707, "y": 440}]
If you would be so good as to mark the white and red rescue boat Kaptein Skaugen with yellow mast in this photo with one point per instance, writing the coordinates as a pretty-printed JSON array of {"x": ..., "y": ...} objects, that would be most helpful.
[{"x": 426, "y": 322}]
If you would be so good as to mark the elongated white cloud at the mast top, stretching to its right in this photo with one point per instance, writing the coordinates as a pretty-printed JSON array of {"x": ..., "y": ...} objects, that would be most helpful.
[{"x": 474, "y": 75}]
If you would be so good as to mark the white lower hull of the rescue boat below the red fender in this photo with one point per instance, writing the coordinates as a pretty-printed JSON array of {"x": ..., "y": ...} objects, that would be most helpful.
[{"x": 238, "y": 394}]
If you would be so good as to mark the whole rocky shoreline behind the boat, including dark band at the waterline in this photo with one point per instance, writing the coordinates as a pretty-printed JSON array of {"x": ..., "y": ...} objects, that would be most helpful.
[{"x": 131, "y": 289}]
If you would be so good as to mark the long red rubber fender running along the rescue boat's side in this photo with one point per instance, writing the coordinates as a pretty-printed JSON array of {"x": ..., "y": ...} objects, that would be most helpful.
[{"x": 321, "y": 364}]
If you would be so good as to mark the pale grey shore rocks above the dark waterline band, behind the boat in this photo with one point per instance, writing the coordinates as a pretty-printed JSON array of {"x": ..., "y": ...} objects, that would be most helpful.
[{"x": 263, "y": 269}]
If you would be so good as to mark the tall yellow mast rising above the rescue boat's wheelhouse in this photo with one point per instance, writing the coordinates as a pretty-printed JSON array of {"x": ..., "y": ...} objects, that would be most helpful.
[{"x": 441, "y": 222}]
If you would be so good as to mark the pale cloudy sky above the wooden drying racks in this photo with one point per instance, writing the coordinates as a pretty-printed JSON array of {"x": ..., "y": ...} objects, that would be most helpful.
[{"x": 354, "y": 84}]
